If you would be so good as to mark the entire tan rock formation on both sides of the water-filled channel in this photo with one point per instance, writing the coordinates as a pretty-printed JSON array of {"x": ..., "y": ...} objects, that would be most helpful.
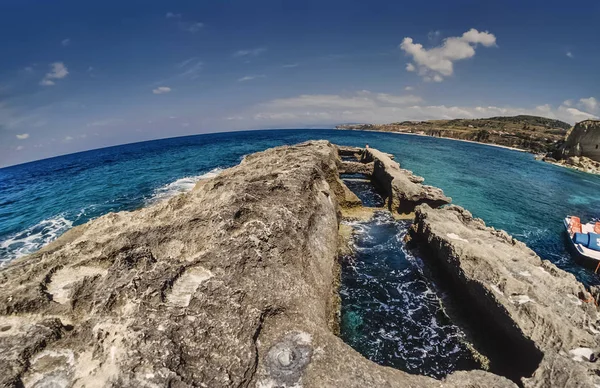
[{"x": 235, "y": 285}]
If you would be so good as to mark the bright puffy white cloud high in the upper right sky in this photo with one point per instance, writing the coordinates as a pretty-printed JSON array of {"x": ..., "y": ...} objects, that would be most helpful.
[{"x": 438, "y": 62}]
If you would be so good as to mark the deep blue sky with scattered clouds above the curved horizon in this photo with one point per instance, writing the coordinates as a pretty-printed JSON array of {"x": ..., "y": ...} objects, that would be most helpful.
[{"x": 78, "y": 75}]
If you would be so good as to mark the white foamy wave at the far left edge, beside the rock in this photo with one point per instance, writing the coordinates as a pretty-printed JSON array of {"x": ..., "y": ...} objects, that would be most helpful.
[{"x": 33, "y": 238}]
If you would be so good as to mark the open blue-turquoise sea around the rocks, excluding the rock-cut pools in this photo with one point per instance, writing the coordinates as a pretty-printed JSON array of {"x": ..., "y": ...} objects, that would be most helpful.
[{"x": 508, "y": 189}]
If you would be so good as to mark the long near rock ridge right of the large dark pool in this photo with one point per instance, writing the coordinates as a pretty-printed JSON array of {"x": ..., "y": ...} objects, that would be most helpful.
[{"x": 543, "y": 314}]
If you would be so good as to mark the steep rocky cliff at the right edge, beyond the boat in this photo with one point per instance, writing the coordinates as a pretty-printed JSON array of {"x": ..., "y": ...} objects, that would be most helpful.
[{"x": 582, "y": 140}]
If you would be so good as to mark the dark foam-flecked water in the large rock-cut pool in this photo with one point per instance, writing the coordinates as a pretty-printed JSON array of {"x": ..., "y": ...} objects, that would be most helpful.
[{"x": 391, "y": 312}]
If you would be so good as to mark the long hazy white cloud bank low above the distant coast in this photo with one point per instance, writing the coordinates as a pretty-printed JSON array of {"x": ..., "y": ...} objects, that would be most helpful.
[{"x": 368, "y": 107}]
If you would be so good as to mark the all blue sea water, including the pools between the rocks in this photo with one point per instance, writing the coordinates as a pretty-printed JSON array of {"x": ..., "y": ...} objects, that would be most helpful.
[{"x": 391, "y": 311}]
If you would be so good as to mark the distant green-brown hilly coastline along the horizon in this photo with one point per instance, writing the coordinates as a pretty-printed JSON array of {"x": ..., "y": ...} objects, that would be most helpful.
[{"x": 529, "y": 133}]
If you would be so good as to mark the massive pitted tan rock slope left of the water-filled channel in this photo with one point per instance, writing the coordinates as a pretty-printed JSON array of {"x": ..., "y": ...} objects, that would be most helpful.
[{"x": 230, "y": 285}]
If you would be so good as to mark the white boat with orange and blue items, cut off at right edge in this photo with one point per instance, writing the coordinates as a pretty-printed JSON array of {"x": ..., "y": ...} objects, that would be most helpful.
[{"x": 584, "y": 239}]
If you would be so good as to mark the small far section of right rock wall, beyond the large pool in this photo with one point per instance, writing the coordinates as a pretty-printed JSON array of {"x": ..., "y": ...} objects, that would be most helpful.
[{"x": 401, "y": 189}]
